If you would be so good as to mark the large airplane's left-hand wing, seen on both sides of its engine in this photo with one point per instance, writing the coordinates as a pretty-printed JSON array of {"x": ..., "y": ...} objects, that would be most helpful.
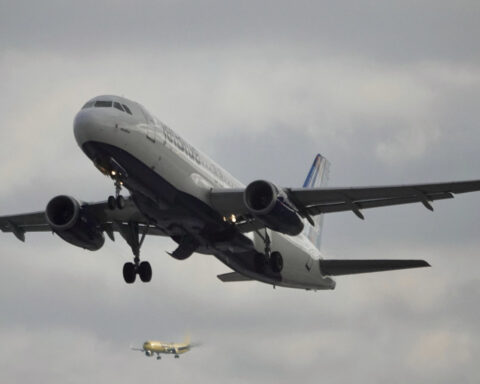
[{"x": 108, "y": 220}]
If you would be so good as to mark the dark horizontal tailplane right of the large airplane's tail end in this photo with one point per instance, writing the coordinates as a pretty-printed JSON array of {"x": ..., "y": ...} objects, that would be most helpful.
[{"x": 350, "y": 267}]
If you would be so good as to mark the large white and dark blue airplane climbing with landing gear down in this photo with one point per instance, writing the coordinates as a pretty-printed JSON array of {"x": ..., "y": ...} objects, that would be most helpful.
[{"x": 261, "y": 231}]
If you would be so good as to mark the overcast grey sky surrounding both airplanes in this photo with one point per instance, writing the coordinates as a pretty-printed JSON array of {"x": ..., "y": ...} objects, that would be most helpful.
[{"x": 388, "y": 91}]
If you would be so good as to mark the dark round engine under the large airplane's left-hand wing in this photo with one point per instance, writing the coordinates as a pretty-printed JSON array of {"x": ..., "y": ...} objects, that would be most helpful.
[{"x": 69, "y": 221}]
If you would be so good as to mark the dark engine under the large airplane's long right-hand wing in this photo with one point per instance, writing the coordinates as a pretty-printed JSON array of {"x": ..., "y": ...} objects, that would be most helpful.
[{"x": 270, "y": 205}]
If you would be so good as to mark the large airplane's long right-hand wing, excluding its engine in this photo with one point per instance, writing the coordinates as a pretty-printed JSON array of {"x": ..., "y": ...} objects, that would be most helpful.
[{"x": 314, "y": 201}]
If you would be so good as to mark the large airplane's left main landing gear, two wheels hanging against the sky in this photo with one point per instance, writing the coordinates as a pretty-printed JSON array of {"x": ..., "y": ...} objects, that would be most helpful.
[{"x": 143, "y": 269}]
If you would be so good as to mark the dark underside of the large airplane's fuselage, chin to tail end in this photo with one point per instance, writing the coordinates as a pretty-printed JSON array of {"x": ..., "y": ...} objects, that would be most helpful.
[{"x": 182, "y": 215}]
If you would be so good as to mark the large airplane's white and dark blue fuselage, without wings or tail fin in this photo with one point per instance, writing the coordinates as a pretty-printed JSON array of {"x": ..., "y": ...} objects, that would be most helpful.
[{"x": 170, "y": 180}]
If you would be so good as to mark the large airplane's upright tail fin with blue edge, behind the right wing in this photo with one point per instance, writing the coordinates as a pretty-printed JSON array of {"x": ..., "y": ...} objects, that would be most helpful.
[{"x": 316, "y": 177}]
